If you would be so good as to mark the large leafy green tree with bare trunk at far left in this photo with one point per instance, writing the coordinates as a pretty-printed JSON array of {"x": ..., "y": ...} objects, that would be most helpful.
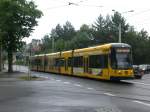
[{"x": 17, "y": 19}]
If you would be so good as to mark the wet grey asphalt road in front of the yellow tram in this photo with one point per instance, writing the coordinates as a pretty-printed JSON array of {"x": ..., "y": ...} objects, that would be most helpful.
[{"x": 60, "y": 93}]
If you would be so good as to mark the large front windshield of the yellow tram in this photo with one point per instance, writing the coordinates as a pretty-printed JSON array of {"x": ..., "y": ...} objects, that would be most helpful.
[{"x": 121, "y": 58}]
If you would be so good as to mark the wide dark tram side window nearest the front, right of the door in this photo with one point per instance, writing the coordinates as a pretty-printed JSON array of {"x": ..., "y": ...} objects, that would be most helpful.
[{"x": 98, "y": 61}]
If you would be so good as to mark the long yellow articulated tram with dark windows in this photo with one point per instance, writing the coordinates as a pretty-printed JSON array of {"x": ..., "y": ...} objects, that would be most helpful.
[{"x": 111, "y": 61}]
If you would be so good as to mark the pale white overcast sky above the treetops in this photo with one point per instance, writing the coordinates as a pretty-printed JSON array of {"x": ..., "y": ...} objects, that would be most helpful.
[{"x": 87, "y": 11}]
